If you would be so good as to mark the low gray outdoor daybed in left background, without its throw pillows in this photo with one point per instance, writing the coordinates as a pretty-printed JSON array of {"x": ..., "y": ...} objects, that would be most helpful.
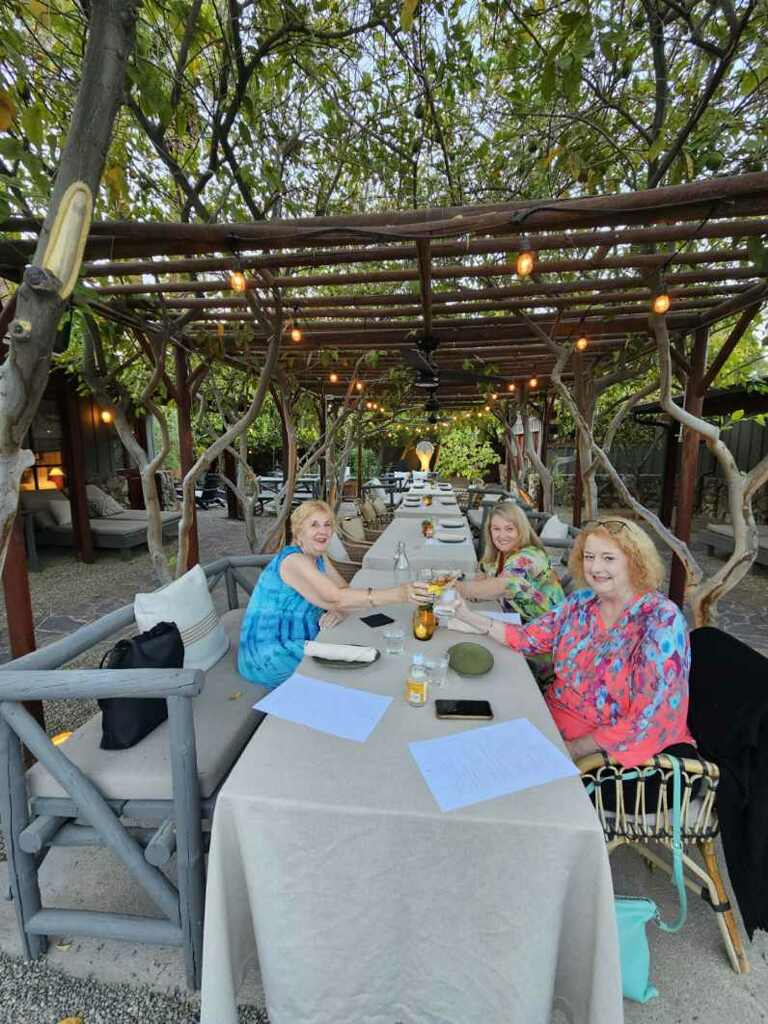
[{"x": 122, "y": 531}]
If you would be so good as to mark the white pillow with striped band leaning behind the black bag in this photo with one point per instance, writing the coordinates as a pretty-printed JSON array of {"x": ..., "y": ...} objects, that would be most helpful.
[{"x": 188, "y": 604}]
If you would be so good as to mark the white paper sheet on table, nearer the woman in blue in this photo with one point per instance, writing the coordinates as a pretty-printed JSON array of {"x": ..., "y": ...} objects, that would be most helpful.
[{"x": 342, "y": 711}]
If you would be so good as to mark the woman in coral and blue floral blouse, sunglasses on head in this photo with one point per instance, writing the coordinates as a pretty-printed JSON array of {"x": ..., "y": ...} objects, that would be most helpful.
[{"x": 620, "y": 650}]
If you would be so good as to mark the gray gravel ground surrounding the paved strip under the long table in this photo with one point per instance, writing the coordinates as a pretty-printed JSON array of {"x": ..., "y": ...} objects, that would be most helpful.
[{"x": 67, "y": 594}]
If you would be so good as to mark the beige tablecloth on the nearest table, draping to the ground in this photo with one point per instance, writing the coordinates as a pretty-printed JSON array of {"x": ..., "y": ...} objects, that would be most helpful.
[{"x": 368, "y": 906}]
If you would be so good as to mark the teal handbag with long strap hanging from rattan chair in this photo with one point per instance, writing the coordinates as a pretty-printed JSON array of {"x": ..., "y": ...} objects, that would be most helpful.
[{"x": 633, "y": 914}]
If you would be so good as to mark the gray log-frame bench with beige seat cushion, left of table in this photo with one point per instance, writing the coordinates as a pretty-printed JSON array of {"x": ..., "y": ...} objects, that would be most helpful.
[{"x": 78, "y": 795}]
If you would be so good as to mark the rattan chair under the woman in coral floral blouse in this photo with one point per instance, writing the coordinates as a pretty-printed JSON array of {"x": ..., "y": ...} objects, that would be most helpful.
[{"x": 632, "y": 817}]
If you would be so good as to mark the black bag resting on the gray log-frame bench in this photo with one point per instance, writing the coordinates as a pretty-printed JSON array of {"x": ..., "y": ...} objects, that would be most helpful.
[{"x": 127, "y": 720}]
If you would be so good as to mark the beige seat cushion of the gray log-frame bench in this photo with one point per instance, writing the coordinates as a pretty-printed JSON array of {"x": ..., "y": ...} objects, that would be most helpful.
[{"x": 224, "y": 723}]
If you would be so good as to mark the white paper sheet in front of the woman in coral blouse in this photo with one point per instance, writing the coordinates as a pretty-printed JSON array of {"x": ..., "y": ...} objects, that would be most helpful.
[{"x": 493, "y": 761}]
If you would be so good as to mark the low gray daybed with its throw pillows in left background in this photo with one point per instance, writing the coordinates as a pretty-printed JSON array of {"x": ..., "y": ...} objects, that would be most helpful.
[{"x": 112, "y": 526}]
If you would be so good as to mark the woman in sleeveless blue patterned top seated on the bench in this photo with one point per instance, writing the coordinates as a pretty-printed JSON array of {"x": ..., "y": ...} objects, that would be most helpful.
[{"x": 298, "y": 594}]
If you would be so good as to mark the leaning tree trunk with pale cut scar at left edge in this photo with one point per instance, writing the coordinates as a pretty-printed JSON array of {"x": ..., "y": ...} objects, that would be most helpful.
[{"x": 41, "y": 297}]
